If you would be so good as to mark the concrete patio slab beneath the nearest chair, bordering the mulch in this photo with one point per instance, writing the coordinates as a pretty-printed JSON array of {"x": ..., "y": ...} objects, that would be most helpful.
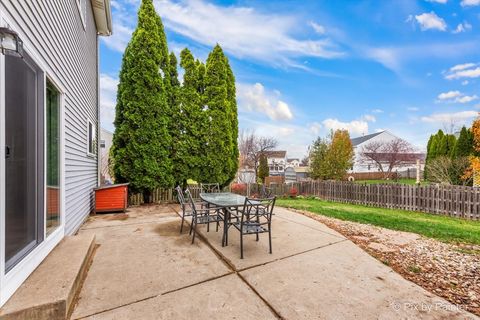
[{"x": 291, "y": 234}]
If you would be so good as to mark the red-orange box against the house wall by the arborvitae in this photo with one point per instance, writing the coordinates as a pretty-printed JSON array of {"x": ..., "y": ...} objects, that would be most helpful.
[{"x": 111, "y": 198}]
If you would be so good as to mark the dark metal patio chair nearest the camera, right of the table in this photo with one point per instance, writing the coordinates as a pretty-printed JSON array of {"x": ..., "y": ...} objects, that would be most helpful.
[{"x": 254, "y": 218}]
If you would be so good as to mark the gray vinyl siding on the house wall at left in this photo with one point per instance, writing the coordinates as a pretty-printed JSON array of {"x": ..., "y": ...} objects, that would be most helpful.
[{"x": 55, "y": 31}]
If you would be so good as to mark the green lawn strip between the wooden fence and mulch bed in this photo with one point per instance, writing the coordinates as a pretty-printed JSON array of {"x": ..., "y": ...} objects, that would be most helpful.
[{"x": 438, "y": 227}]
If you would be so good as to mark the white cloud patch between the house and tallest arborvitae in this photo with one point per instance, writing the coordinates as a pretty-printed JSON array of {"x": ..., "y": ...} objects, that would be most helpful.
[{"x": 108, "y": 98}]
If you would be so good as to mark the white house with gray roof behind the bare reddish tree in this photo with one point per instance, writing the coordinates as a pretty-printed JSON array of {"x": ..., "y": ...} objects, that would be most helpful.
[{"x": 362, "y": 166}]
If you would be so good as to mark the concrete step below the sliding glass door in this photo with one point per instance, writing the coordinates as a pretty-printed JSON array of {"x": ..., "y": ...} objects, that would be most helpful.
[{"x": 50, "y": 291}]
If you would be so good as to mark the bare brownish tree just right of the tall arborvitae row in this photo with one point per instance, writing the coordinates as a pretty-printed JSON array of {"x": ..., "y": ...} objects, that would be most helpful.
[{"x": 251, "y": 148}]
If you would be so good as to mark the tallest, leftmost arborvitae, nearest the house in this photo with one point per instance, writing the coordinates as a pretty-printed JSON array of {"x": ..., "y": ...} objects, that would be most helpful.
[{"x": 141, "y": 143}]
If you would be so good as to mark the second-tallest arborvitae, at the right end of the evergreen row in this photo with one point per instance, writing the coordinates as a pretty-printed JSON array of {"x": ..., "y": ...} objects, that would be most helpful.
[{"x": 219, "y": 143}]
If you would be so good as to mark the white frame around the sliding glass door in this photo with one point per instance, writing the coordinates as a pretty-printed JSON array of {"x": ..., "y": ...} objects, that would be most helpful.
[{"x": 10, "y": 282}]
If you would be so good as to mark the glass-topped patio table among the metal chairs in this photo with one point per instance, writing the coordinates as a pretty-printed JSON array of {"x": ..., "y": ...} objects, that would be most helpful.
[{"x": 224, "y": 200}]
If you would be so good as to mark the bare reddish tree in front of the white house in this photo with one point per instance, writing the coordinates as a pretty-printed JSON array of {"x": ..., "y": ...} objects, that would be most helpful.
[{"x": 389, "y": 155}]
